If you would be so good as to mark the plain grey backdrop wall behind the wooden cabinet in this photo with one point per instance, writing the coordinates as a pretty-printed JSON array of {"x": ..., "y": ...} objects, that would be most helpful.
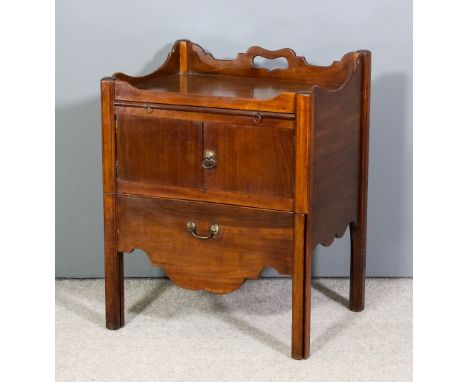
[{"x": 97, "y": 38}]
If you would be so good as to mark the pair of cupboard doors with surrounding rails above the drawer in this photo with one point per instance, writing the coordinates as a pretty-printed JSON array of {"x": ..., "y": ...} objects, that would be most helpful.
[{"x": 232, "y": 160}]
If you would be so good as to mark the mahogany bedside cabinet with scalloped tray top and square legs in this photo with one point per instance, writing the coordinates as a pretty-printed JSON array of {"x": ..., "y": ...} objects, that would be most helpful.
[{"x": 217, "y": 169}]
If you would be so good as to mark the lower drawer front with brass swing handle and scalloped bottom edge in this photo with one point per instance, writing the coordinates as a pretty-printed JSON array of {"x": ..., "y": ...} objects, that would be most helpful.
[{"x": 246, "y": 241}]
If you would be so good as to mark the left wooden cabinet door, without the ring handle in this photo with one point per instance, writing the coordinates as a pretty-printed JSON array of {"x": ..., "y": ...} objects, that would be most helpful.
[{"x": 159, "y": 151}]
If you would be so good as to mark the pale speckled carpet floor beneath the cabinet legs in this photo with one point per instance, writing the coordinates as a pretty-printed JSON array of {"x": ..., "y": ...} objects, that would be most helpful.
[{"x": 174, "y": 335}]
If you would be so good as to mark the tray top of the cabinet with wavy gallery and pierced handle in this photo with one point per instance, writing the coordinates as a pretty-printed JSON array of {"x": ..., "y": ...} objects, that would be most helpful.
[{"x": 191, "y": 76}]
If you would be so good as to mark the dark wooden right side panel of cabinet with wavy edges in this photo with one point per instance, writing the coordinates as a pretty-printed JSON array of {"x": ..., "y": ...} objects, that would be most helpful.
[{"x": 336, "y": 160}]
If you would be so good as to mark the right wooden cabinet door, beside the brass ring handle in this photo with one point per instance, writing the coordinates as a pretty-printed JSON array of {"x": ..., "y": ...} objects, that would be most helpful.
[{"x": 254, "y": 159}]
